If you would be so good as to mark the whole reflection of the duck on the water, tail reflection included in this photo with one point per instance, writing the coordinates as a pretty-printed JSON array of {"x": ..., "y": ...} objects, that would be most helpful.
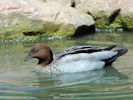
[{"x": 106, "y": 75}]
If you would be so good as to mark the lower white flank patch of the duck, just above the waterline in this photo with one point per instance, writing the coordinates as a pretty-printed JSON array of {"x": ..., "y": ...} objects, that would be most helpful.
[{"x": 80, "y": 66}]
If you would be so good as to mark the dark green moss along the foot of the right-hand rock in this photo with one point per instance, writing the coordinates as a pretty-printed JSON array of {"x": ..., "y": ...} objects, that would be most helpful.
[{"x": 120, "y": 21}]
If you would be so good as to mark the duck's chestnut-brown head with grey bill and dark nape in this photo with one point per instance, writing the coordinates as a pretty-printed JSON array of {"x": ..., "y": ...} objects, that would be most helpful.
[{"x": 42, "y": 52}]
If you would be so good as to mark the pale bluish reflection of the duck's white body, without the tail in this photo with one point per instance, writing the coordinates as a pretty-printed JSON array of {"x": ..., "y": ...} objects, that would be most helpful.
[{"x": 70, "y": 79}]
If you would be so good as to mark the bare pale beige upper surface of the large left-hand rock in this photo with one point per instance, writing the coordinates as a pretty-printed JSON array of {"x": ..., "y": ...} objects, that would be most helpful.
[{"x": 47, "y": 11}]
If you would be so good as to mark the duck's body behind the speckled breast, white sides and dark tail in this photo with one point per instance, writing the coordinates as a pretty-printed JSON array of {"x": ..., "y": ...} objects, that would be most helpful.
[{"x": 78, "y": 62}]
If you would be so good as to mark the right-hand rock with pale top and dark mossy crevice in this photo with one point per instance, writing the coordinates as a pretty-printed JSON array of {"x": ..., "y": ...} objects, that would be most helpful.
[{"x": 102, "y": 10}]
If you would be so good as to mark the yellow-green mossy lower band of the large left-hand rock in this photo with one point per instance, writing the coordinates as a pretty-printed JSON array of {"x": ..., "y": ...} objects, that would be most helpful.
[{"x": 16, "y": 24}]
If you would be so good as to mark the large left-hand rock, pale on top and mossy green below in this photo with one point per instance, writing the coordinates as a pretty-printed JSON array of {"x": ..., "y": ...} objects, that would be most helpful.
[{"x": 61, "y": 14}]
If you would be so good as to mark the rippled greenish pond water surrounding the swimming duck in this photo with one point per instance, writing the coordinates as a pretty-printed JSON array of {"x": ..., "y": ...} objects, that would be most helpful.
[{"x": 19, "y": 81}]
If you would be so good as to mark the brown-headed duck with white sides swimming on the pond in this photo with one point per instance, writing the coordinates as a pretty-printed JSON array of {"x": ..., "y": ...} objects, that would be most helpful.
[{"x": 73, "y": 59}]
